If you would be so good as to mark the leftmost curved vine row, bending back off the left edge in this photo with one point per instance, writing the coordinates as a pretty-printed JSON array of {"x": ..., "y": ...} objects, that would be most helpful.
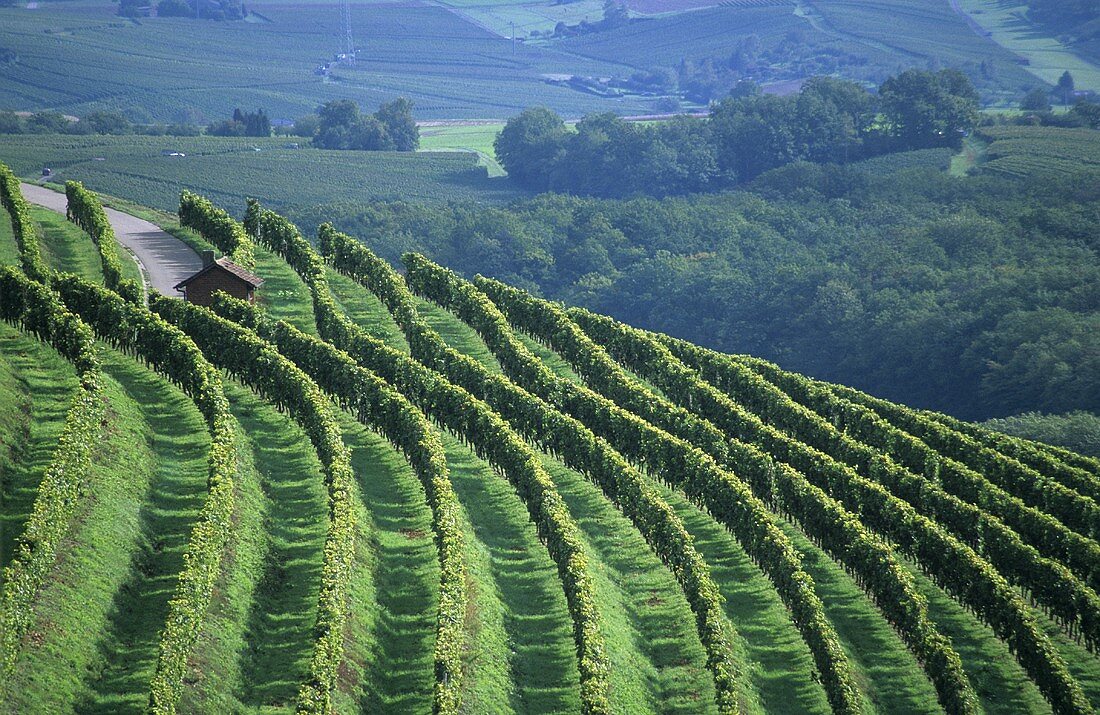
[{"x": 37, "y": 310}]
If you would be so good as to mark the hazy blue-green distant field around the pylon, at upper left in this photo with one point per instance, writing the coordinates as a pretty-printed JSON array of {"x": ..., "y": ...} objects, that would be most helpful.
[{"x": 80, "y": 57}]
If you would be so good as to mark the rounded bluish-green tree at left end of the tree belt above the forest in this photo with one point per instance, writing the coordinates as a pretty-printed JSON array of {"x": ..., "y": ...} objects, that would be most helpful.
[{"x": 530, "y": 146}]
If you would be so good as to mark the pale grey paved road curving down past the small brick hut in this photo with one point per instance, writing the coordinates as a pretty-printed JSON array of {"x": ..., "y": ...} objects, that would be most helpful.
[{"x": 164, "y": 259}]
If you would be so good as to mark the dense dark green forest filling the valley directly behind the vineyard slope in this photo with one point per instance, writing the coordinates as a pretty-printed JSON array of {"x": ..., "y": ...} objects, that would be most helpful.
[{"x": 980, "y": 296}]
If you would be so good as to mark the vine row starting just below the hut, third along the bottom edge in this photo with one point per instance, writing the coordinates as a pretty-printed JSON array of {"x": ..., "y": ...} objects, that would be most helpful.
[{"x": 378, "y": 405}]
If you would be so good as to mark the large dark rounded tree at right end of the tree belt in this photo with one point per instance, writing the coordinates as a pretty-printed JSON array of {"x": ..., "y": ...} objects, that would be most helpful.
[{"x": 926, "y": 109}]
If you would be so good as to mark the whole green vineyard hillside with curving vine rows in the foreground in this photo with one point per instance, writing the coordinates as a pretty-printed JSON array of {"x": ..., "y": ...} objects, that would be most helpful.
[{"x": 409, "y": 492}]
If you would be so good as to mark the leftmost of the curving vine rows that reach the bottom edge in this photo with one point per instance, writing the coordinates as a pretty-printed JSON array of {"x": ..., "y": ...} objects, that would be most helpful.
[{"x": 131, "y": 328}]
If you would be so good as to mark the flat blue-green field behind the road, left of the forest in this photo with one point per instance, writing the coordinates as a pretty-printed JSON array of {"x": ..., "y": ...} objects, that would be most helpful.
[{"x": 230, "y": 170}]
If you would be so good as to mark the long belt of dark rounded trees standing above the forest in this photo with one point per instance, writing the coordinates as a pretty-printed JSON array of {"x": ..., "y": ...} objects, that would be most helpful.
[{"x": 830, "y": 120}]
